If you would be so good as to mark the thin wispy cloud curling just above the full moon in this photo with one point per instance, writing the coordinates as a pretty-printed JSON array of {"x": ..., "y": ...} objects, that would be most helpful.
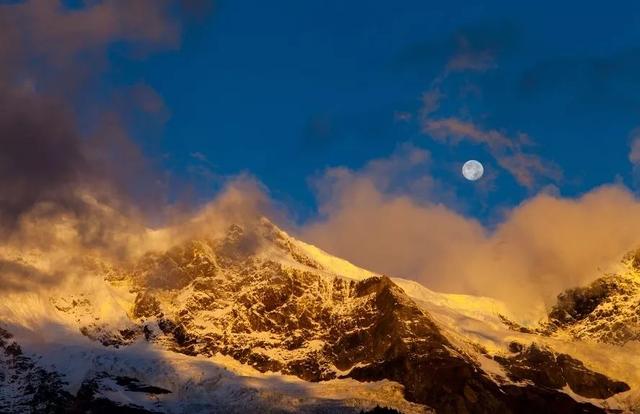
[{"x": 475, "y": 49}]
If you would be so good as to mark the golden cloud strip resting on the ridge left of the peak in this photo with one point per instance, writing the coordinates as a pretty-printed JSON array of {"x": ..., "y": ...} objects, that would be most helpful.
[{"x": 50, "y": 245}]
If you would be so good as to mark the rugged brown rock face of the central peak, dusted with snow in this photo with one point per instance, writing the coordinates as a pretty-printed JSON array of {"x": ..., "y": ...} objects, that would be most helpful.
[{"x": 218, "y": 296}]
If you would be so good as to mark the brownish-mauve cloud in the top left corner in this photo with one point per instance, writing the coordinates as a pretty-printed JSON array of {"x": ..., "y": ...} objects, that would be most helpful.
[{"x": 49, "y": 31}]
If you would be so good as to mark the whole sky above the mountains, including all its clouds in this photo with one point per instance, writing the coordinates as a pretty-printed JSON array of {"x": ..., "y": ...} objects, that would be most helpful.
[{"x": 347, "y": 123}]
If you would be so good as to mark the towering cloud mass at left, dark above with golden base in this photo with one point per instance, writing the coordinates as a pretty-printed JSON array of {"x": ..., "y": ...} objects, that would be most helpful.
[{"x": 67, "y": 191}]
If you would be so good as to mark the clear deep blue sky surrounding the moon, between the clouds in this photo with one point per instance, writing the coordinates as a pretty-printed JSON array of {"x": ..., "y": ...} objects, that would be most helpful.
[{"x": 283, "y": 90}]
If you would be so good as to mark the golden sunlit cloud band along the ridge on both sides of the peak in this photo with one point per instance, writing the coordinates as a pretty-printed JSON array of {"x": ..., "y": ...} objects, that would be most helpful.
[{"x": 546, "y": 244}]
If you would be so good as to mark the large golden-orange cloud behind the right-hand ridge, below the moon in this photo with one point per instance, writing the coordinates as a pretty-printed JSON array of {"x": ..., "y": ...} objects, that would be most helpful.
[{"x": 542, "y": 246}]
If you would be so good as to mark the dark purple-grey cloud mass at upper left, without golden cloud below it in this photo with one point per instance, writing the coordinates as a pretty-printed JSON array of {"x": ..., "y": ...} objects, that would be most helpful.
[{"x": 52, "y": 58}]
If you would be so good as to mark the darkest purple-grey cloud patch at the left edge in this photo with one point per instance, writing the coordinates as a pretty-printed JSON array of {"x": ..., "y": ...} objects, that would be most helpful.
[{"x": 42, "y": 156}]
